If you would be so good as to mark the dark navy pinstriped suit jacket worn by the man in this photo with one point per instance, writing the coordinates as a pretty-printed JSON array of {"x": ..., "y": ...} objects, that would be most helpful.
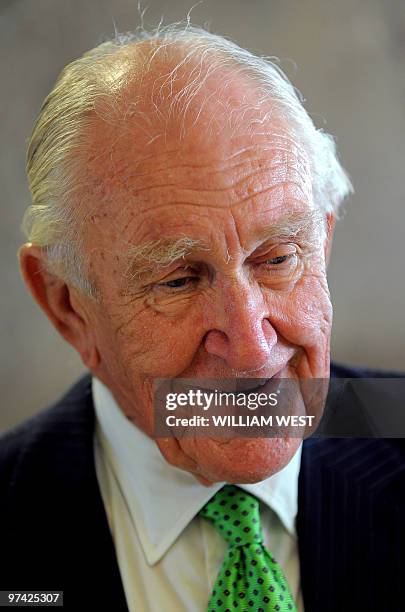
[{"x": 54, "y": 532}]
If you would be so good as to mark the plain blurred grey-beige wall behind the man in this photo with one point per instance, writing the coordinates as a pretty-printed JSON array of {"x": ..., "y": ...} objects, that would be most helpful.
[{"x": 349, "y": 64}]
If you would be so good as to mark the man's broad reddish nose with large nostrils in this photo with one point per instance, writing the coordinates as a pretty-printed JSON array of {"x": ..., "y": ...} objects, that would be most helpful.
[{"x": 241, "y": 333}]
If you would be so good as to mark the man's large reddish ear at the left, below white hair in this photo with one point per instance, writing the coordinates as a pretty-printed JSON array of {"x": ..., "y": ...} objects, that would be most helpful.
[{"x": 62, "y": 304}]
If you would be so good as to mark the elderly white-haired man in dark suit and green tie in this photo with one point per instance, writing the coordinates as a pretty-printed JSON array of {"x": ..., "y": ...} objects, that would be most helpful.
[{"x": 182, "y": 217}]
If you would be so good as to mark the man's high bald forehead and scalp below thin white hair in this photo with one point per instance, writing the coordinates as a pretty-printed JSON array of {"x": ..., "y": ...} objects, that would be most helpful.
[{"x": 192, "y": 123}]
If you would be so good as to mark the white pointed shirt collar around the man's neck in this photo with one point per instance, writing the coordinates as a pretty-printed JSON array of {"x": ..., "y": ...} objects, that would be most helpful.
[{"x": 163, "y": 499}]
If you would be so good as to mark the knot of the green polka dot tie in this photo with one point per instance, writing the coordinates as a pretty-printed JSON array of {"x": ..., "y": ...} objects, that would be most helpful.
[{"x": 235, "y": 515}]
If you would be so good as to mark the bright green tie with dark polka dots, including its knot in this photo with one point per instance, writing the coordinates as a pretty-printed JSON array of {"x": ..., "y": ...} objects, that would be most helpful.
[{"x": 249, "y": 578}]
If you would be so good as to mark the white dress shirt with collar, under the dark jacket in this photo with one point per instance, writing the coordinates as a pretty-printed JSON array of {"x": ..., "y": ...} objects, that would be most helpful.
[{"x": 168, "y": 557}]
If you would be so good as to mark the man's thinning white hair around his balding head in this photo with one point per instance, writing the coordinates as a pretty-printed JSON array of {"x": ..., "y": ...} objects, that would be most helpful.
[{"x": 52, "y": 222}]
